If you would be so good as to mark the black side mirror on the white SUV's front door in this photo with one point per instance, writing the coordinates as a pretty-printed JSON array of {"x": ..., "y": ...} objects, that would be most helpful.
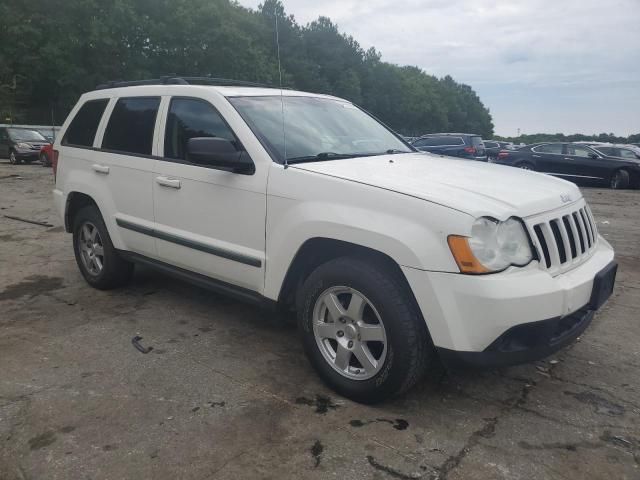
[{"x": 220, "y": 153}]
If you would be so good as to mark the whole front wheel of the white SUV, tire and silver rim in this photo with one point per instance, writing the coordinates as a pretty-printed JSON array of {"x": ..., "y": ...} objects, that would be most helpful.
[{"x": 402, "y": 356}]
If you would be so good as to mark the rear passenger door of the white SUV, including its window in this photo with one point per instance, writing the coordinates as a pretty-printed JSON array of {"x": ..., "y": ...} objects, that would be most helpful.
[{"x": 125, "y": 163}]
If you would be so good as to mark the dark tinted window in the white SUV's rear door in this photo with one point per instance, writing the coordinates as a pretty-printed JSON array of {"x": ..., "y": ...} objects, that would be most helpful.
[{"x": 130, "y": 128}]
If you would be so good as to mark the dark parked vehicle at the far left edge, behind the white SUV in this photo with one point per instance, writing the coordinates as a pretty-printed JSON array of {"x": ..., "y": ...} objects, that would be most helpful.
[{"x": 25, "y": 145}]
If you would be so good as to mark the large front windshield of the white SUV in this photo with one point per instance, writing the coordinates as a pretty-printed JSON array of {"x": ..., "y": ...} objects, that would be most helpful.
[{"x": 315, "y": 128}]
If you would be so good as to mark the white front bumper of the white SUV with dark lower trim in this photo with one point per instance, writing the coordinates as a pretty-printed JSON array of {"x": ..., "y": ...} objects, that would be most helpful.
[{"x": 510, "y": 317}]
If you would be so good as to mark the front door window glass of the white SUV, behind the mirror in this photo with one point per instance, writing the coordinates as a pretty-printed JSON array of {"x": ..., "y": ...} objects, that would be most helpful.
[{"x": 189, "y": 118}]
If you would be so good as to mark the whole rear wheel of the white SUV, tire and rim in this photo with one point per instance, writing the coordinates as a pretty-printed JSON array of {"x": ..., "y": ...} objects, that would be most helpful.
[{"x": 103, "y": 271}]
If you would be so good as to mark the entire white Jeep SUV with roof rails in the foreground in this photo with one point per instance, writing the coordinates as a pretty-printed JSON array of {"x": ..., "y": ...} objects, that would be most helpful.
[{"x": 390, "y": 257}]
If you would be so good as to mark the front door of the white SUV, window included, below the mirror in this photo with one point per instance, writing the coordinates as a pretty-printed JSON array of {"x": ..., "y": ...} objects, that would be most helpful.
[{"x": 208, "y": 221}]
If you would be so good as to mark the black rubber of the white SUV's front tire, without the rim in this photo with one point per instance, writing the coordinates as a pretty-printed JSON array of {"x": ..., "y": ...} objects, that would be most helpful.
[{"x": 409, "y": 347}]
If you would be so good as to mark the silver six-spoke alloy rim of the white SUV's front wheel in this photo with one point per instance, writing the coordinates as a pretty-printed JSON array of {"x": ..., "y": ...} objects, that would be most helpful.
[{"x": 349, "y": 333}]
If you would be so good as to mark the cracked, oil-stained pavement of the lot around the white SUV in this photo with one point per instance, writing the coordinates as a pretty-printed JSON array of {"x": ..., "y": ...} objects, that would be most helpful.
[{"x": 226, "y": 391}]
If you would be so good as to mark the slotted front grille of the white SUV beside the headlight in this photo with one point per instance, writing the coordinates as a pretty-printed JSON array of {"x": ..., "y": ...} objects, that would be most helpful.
[{"x": 564, "y": 239}]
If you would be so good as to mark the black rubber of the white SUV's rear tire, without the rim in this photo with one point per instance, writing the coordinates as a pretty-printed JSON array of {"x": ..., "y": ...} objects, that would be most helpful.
[{"x": 115, "y": 271}]
